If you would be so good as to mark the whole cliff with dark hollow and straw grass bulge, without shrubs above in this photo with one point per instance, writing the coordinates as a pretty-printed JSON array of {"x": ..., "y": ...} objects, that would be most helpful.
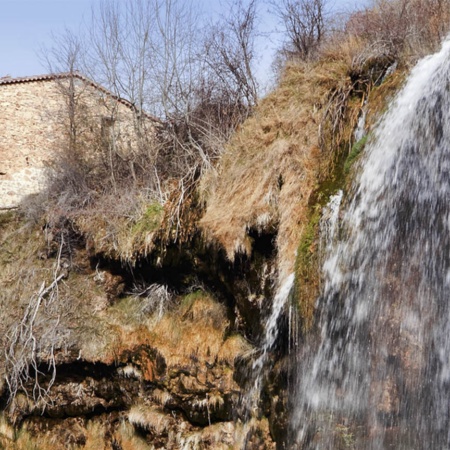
[{"x": 157, "y": 336}]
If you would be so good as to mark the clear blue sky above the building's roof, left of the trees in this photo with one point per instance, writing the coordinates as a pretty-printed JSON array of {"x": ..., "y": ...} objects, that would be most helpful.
[{"x": 27, "y": 25}]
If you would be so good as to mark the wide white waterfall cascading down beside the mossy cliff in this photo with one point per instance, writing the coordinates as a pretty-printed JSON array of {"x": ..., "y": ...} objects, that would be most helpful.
[{"x": 375, "y": 373}]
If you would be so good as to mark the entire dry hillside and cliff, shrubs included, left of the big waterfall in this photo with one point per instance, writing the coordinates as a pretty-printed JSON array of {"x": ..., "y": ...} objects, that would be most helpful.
[{"x": 134, "y": 292}]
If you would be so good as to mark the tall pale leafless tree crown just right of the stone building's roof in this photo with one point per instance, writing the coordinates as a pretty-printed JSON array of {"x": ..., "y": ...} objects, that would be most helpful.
[{"x": 145, "y": 51}]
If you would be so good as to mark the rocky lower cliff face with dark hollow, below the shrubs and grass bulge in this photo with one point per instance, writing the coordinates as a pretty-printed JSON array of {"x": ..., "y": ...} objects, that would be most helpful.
[{"x": 104, "y": 356}]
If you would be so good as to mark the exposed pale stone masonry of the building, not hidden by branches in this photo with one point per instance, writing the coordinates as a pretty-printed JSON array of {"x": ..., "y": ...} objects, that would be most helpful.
[{"x": 33, "y": 124}]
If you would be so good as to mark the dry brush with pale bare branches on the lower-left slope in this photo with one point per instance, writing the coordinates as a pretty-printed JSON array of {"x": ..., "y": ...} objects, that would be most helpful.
[{"x": 49, "y": 309}]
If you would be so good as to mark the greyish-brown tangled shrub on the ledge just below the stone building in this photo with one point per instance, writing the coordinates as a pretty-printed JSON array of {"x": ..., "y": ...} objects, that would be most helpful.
[{"x": 116, "y": 214}]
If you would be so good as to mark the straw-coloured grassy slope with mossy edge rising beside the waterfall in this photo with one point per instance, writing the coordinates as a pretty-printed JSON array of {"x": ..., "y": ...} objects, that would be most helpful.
[{"x": 281, "y": 166}]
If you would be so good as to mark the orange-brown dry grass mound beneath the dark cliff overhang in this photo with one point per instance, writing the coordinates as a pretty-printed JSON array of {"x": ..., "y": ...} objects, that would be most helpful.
[{"x": 193, "y": 330}]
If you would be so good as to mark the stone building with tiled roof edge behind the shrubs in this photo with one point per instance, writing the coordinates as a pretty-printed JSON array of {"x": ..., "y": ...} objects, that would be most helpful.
[{"x": 43, "y": 115}]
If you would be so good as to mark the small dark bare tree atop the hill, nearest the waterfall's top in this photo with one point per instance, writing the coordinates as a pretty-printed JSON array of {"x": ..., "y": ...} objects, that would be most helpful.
[{"x": 304, "y": 25}]
